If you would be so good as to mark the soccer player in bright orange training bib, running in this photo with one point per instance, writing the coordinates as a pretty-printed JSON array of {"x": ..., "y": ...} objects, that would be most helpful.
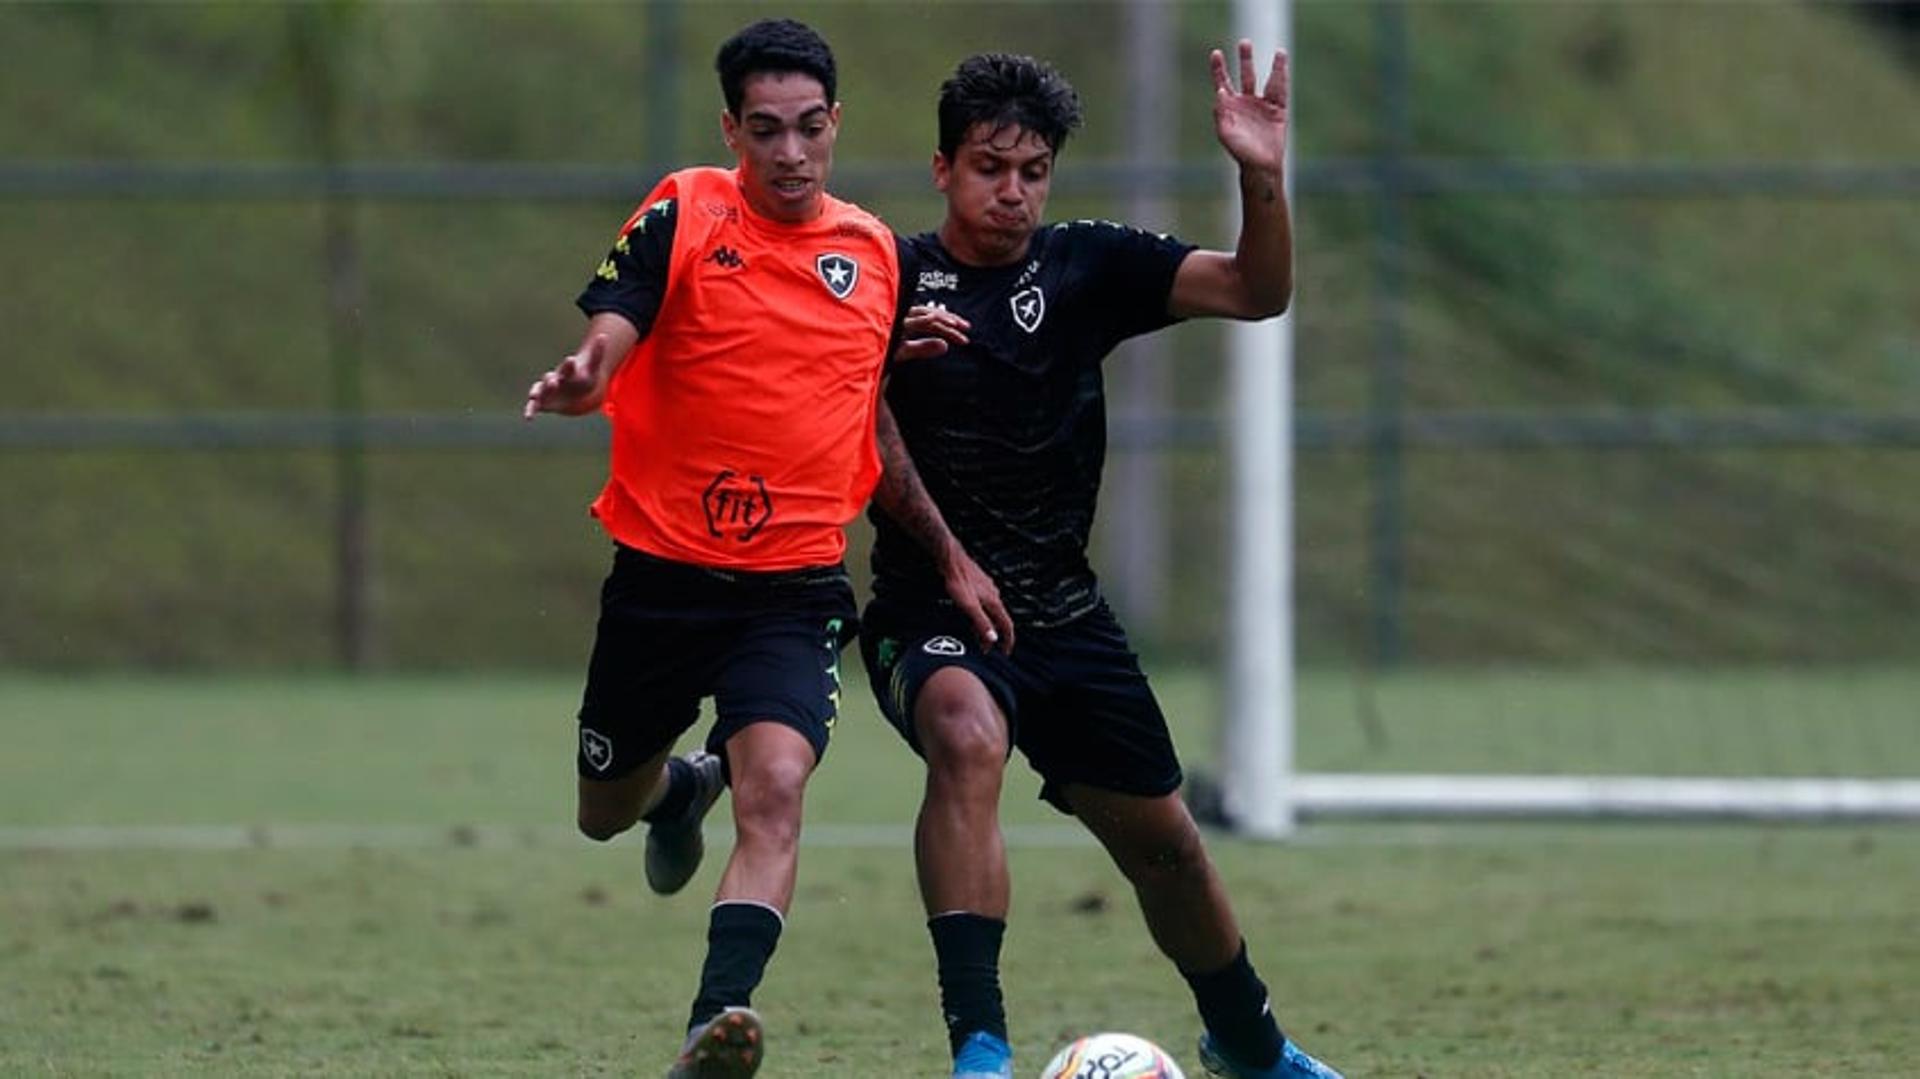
[{"x": 736, "y": 341}]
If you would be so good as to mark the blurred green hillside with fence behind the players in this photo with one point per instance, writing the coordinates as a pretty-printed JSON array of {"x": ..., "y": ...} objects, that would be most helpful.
[{"x": 1608, "y": 329}]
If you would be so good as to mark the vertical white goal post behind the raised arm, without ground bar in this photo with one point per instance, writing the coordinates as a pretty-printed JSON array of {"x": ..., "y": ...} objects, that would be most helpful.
[{"x": 1259, "y": 746}]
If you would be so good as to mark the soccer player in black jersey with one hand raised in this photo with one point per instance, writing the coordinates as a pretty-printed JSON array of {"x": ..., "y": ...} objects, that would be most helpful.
[{"x": 994, "y": 464}]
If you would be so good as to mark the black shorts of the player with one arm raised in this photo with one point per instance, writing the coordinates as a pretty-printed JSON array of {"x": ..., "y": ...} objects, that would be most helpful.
[{"x": 1074, "y": 696}]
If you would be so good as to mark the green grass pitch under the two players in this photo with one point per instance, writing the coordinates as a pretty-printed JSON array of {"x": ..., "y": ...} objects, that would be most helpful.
[{"x": 377, "y": 878}]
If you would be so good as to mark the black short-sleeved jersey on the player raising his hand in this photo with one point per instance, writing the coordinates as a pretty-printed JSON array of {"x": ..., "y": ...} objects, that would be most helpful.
[{"x": 1009, "y": 431}]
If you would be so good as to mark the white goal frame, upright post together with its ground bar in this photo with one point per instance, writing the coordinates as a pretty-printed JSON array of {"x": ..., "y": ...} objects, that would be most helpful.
[{"x": 1260, "y": 792}]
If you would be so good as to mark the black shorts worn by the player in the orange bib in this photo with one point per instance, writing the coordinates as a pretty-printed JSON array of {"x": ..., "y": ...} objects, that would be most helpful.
[{"x": 765, "y": 646}]
